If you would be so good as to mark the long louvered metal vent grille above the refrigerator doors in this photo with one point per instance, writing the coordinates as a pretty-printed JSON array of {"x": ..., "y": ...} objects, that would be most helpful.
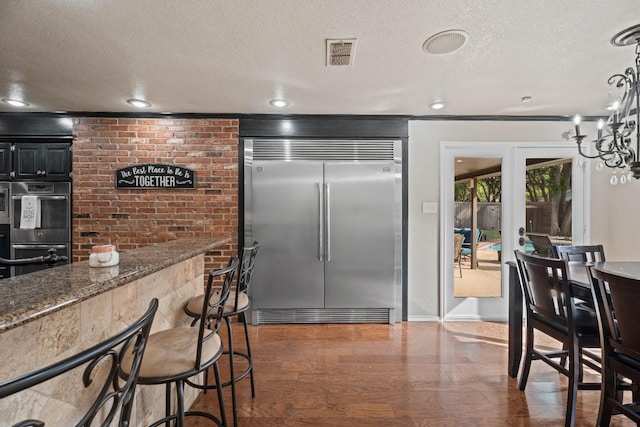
[{"x": 323, "y": 150}]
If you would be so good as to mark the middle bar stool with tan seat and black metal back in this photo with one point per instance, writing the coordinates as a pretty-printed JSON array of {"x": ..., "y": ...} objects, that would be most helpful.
[{"x": 174, "y": 355}]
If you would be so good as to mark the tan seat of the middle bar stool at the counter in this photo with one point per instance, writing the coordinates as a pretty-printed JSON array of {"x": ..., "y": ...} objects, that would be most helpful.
[{"x": 171, "y": 353}]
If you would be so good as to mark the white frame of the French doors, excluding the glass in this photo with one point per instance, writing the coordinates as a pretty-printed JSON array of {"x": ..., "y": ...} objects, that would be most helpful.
[{"x": 493, "y": 309}]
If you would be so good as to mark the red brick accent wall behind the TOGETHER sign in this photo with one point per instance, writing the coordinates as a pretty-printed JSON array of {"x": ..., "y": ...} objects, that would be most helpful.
[{"x": 130, "y": 218}]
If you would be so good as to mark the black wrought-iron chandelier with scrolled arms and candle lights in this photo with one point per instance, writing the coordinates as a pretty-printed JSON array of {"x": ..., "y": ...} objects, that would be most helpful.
[{"x": 614, "y": 145}]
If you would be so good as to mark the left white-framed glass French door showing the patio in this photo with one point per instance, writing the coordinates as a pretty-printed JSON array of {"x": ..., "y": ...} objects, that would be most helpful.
[{"x": 475, "y": 195}]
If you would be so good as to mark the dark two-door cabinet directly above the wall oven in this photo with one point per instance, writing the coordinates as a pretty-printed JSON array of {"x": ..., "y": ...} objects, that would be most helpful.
[{"x": 42, "y": 161}]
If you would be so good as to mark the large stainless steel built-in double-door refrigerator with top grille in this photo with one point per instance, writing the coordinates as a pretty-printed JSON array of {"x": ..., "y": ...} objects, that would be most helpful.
[{"x": 328, "y": 217}]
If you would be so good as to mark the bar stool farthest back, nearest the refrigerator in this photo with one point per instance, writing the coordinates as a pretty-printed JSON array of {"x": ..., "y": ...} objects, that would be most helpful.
[{"x": 237, "y": 305}]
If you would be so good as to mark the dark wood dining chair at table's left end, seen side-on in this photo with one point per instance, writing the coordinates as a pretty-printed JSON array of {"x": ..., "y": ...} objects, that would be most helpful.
[{"x": 552, "y": 310}]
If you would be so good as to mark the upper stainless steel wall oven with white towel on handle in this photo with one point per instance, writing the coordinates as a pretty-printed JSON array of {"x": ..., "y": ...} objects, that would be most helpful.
[{"x": 48, "y": 219}]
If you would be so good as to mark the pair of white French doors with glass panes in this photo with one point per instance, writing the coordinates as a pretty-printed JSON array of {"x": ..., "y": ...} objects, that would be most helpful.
[{"x": 541, "y": 197}]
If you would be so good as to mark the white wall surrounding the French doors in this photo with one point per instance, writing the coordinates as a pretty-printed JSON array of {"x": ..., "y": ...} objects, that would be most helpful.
[{"x": 424, "y": 180}]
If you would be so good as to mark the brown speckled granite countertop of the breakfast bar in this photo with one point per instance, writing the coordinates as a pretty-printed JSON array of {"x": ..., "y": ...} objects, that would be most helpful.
[{"x": 31, "y": 296}]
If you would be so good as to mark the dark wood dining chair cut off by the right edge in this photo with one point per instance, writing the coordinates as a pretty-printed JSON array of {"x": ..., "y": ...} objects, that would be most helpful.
[{"x": 617, "y": 300}]
